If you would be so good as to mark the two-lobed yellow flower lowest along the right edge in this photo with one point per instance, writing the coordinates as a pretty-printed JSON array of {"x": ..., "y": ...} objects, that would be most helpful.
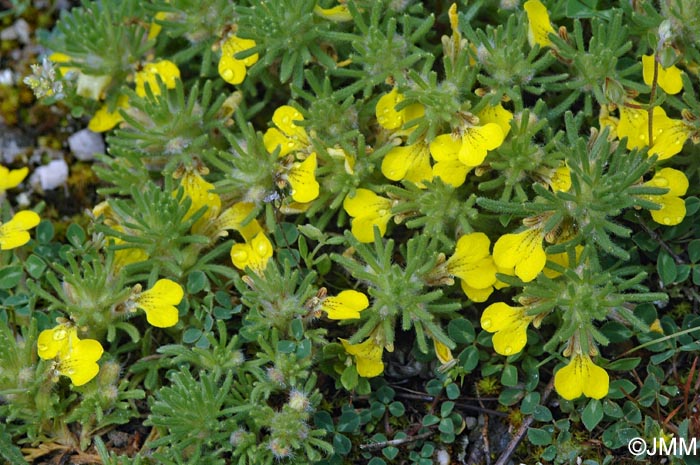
[{"x": 672, "y": 209}]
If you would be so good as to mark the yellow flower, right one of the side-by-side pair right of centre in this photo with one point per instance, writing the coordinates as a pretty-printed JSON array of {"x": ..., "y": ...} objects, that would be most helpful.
[{"x": 522, "y": 252}]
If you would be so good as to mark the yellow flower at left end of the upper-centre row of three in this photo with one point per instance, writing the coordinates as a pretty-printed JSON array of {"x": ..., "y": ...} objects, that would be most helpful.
[{"x": 411, "y": 162}]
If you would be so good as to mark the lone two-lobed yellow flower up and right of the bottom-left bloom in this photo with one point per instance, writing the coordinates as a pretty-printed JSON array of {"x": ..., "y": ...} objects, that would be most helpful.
[{"x": 159, "y": 303}]
